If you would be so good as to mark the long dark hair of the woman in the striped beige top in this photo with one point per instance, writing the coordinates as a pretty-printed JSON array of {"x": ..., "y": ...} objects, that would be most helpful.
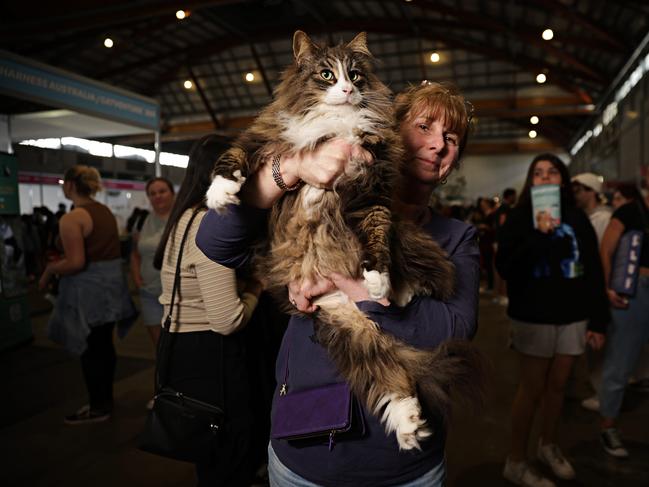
[{"x": 191, "y": 194}]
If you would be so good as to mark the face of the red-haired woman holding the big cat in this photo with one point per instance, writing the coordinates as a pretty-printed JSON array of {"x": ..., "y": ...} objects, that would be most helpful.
[{"x": 431, "y": 148}]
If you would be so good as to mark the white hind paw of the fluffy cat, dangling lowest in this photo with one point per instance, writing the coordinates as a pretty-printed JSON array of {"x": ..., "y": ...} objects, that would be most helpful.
[{"x": 403, "y": 417}]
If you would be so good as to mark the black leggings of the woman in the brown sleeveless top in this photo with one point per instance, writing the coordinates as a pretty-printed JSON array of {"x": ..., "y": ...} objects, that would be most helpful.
[{"x": 98, "y": 366}]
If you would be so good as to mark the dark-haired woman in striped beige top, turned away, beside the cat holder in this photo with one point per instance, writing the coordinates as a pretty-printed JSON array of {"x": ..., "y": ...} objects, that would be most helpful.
[{"x": 208, "y": 351}]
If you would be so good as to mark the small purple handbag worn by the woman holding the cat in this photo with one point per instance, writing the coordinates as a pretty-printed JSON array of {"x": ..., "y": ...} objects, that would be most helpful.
[{"x": 318, "y": 415}]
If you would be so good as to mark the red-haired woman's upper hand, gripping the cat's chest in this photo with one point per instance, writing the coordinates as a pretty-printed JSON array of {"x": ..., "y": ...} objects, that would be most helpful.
[{"x": 322, "y": 167}]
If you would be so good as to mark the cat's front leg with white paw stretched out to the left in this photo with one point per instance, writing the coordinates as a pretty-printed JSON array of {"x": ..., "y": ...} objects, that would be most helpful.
[{"x": 227, "y": 180}]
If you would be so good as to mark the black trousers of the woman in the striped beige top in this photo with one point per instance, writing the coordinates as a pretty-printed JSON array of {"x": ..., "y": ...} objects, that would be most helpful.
[{"x": 194, "y": 369}]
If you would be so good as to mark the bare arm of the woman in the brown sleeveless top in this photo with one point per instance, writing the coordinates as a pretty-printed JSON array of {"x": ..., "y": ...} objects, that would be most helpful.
[{"x": 71, "y": 231}]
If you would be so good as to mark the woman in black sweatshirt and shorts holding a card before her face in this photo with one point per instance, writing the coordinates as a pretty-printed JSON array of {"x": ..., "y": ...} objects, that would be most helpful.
[{"x": 557, "y": 304}]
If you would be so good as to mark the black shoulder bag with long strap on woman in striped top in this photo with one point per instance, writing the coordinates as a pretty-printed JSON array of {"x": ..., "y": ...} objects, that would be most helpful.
[{"x": 179, "y": 426}]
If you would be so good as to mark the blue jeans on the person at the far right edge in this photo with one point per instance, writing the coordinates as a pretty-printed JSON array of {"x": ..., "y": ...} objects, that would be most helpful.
[{"x": 626, "y": 336}]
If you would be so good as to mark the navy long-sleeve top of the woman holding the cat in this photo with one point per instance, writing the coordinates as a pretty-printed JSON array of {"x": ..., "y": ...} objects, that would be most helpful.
[{"x": 375, "y": 458}]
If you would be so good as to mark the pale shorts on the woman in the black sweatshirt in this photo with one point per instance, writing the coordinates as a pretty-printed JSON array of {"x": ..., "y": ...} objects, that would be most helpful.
[{"x": 548, "y": 340}]
